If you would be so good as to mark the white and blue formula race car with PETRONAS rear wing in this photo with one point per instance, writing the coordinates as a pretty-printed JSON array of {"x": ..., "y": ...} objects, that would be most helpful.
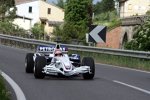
[{"x": 54, "y": 60}]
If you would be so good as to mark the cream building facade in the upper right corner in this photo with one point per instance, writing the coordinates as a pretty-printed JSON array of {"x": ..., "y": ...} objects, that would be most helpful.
[{"x": 133, "y": 7}]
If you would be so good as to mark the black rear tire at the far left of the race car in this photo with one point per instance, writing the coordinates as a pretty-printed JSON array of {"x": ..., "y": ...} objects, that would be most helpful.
[{"x": 29, "y": 63}]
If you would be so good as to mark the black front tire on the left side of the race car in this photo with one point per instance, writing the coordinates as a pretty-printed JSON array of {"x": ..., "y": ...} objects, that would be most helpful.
[{"x": 40, "y": 63}]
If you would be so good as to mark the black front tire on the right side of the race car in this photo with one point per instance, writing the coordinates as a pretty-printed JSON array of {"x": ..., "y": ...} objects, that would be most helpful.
[{"x": 88, "y": 61}]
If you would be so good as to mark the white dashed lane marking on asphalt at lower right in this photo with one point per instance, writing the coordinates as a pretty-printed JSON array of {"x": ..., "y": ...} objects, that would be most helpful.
[{"x": 133, "y": 87}]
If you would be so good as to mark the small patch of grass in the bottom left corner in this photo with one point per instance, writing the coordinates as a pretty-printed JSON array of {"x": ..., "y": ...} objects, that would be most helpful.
[{"x": 4, "y": 94}]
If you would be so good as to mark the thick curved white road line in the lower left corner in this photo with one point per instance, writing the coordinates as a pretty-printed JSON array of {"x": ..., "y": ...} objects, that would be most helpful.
[{"x": 19, "y": 94}]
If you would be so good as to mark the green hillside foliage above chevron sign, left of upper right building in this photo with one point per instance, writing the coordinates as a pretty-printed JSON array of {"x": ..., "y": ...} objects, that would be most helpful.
[{"x": 105, "y": 14}]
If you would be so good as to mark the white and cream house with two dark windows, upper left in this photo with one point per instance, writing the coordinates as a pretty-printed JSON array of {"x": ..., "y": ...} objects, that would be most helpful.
[{"x": 38, "y": 11}]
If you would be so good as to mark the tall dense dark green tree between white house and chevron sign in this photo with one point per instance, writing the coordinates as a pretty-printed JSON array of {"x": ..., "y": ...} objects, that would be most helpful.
[{"x": 78, "y": 16}]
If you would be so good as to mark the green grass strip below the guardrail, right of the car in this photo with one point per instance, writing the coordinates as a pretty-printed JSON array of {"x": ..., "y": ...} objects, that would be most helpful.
[{"x": 130, "y": 62}]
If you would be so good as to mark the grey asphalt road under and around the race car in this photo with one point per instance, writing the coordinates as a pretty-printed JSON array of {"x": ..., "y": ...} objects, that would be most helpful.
[{"x": 110, "y": 83}]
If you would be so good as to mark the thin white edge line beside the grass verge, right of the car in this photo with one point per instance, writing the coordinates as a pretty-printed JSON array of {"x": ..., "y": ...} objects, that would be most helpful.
[{"x": 125, "y": 68}]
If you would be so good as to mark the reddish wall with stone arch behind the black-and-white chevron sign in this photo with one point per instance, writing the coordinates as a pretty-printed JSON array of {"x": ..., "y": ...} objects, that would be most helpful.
[{"x": 115, "y": 37}]
